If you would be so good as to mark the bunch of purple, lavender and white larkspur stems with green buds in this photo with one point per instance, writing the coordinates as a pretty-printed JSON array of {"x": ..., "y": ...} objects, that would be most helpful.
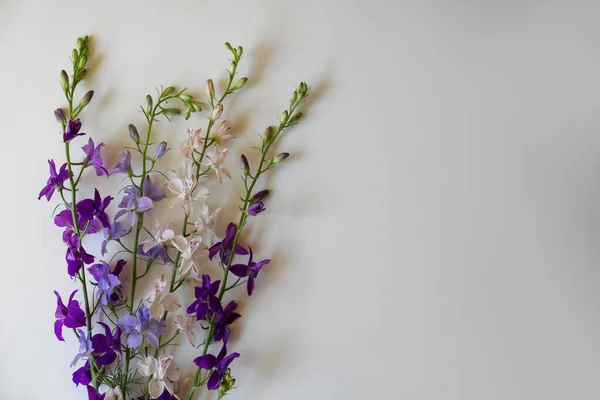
[{"x": 125, "y": 337}]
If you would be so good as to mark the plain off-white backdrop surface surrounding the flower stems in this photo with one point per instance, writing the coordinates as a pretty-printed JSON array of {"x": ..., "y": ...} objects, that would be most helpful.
[{"x": 436, "y": 234}]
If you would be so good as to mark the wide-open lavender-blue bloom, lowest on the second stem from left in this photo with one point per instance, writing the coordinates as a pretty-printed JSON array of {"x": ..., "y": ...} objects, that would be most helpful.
[{"x": 145, "y": 326}]
